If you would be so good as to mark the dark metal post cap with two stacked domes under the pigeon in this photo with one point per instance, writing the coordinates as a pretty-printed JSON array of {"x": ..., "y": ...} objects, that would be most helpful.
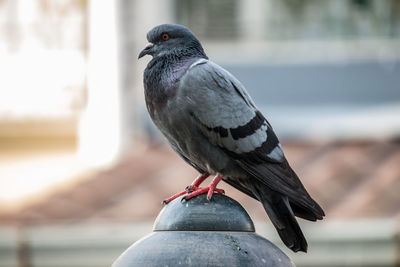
[{"x": 199, "y": 232}]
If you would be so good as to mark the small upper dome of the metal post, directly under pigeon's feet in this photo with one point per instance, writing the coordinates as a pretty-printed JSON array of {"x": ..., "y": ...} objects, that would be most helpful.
[{"x": 221, "y": 213}]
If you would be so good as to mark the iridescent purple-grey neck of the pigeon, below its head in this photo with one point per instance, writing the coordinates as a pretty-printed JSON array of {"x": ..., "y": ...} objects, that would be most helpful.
[{"x": 162, "y": 76}]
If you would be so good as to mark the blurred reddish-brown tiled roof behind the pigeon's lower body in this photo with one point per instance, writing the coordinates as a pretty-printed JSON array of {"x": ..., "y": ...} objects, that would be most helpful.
[{"x": 349, "y": 179}]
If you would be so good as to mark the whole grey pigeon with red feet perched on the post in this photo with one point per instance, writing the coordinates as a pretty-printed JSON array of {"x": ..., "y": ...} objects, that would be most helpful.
[{"x": 212, "y": 123}]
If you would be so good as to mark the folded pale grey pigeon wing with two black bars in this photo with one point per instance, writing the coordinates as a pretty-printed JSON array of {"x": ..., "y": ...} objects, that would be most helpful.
[{"x": 228, "y": 117}]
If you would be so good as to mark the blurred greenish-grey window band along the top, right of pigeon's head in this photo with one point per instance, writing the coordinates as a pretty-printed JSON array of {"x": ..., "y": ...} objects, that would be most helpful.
[{"x": 291, "y": 19}]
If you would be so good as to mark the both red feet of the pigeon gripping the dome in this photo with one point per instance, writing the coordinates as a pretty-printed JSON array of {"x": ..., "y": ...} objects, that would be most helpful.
[{"x": 194, "y": 189}]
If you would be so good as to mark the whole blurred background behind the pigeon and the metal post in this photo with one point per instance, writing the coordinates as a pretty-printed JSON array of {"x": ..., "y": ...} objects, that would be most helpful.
[{"x": 83, "y": 171}]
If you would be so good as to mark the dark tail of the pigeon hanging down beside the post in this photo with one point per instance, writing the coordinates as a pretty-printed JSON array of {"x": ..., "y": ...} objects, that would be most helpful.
[{"x": 282, "y": 217}]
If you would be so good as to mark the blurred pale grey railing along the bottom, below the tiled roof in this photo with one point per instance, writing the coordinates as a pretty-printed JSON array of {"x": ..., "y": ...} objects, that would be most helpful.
[{"x": 345, "y": 243}]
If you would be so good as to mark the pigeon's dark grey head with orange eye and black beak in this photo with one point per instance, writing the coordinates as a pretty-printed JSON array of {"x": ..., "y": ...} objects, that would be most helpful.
[{"x": 172, "y": 39}]
